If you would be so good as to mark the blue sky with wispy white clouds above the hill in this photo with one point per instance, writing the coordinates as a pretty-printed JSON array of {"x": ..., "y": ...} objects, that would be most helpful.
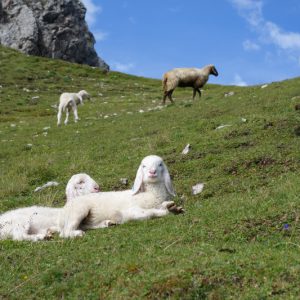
[{"x": 249, "y": 41}]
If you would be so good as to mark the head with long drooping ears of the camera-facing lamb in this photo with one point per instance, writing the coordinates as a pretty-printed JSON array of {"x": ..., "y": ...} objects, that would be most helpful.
[{"x": 152, "y": 170}]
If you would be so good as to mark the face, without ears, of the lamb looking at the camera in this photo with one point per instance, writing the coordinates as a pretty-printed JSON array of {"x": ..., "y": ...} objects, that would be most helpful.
[{"x": 153, "y": 168}]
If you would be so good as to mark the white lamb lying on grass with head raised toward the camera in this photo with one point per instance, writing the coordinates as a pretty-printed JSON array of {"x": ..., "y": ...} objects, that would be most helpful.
[{"x": 150, "y": 197}]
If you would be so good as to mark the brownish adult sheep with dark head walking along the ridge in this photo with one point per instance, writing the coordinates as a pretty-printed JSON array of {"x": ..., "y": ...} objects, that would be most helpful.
[{"x": 185, "y": 77}]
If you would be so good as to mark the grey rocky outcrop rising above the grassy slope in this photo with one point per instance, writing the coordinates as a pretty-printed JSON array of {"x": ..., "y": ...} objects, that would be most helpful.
[{"x": 50, "y": 28}]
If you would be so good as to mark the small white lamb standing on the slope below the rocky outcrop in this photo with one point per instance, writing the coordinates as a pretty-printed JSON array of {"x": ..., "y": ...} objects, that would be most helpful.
[{"x": 69, "y": 101}]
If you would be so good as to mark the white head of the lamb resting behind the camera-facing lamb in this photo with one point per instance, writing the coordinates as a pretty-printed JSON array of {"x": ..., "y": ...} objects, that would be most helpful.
[{"x": 81, "y": 184}]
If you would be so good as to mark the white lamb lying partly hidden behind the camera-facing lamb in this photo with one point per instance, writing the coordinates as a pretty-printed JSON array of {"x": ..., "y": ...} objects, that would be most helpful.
[{"x": 37, "y": 222}]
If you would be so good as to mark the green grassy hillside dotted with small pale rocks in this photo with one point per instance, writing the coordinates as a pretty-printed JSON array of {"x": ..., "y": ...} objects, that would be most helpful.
[{"x": 239, "y": 238}]
